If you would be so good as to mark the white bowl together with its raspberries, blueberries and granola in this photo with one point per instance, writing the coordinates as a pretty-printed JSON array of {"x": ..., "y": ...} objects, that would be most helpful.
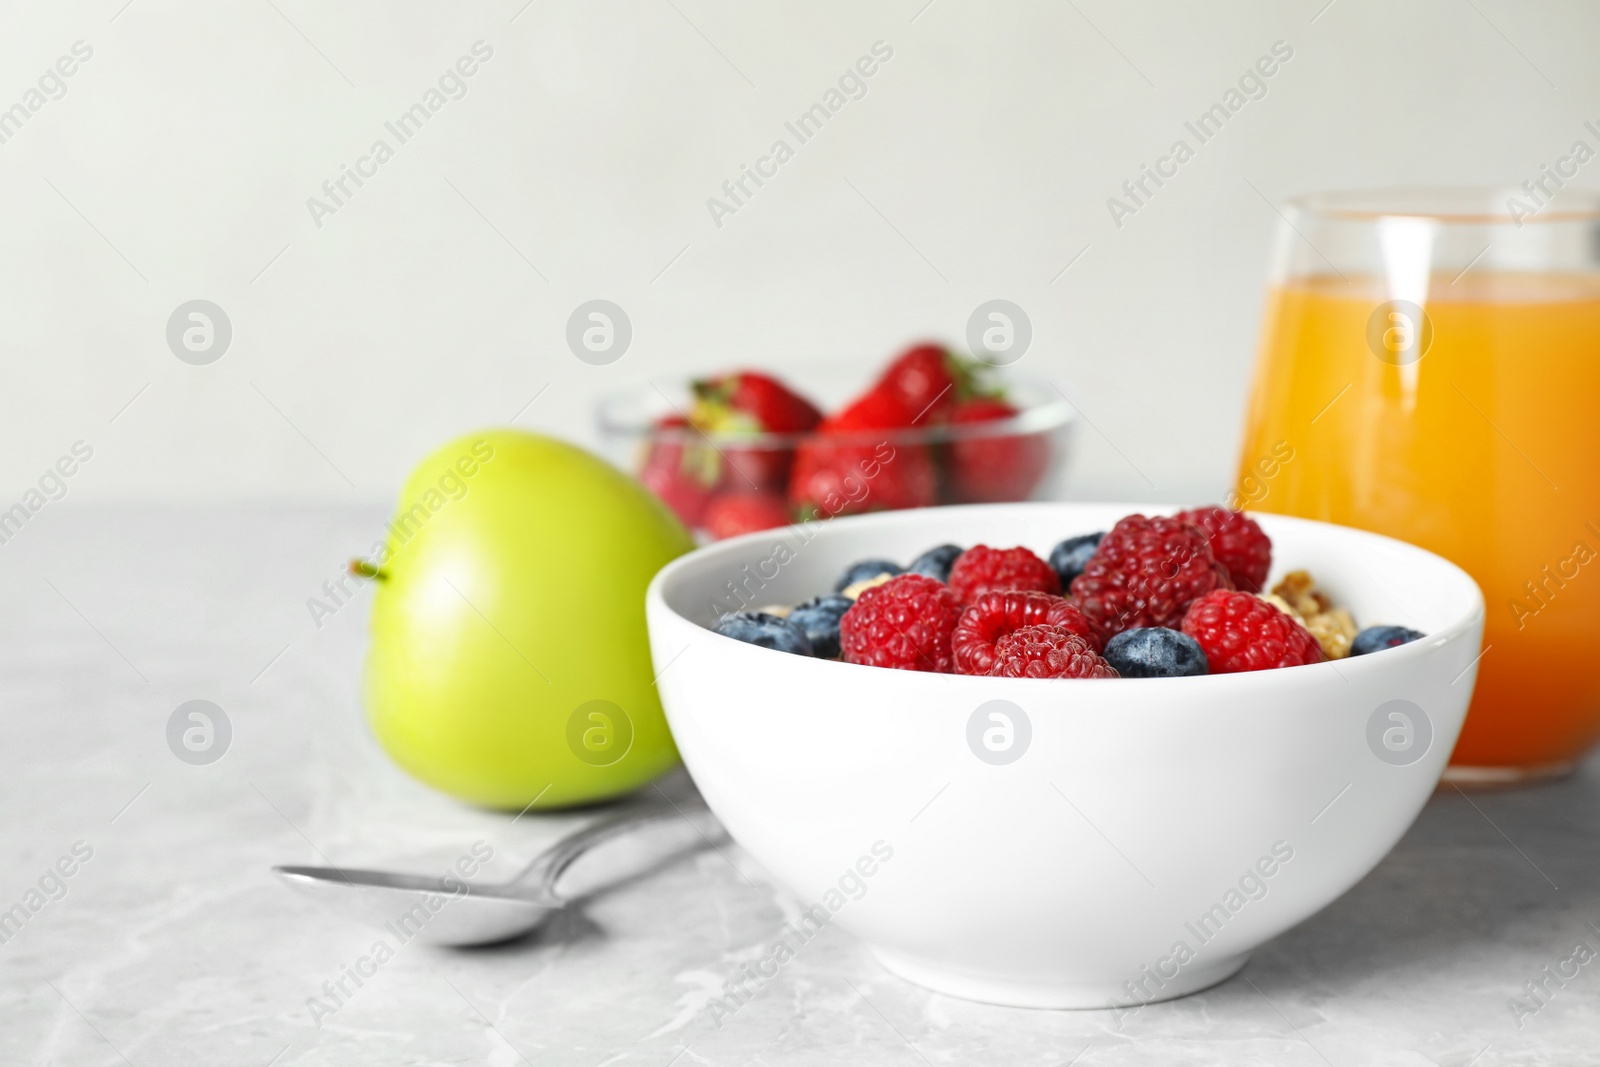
[{"x": 1063, "y": 756}]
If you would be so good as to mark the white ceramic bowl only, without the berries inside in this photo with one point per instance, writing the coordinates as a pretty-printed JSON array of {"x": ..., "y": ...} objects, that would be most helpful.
[{"x": 1150, "y": 834}]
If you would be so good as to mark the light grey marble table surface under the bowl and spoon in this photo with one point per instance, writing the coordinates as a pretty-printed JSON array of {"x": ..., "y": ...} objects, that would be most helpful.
[{"x": 172, "y": 945}]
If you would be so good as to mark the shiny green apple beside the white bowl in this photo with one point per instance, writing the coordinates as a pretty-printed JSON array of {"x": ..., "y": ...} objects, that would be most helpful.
[{"x": 510, "y": 661}]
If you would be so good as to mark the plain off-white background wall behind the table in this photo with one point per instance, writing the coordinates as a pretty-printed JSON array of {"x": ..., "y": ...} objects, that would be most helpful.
[{"x": 182, "y": 156}]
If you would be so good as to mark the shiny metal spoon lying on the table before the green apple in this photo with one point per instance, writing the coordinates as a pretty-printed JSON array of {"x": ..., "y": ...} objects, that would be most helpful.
[{"x": 433, "y": 911}]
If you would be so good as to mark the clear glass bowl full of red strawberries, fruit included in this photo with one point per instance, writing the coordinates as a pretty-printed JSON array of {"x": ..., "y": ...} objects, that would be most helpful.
[{"x": 743, "y": 450}]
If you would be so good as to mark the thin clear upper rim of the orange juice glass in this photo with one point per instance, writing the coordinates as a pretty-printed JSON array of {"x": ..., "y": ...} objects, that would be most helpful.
[{"x": 1452, "y": 206}]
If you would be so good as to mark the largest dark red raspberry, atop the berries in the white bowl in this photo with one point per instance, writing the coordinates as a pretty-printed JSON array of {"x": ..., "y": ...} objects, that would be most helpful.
[{"x": 1146, "y": 572}]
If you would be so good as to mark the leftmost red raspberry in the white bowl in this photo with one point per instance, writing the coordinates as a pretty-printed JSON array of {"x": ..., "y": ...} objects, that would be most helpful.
[{"x": 905, "y": 623}]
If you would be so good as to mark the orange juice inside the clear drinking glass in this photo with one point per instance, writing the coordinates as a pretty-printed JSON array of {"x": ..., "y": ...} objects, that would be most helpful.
[{"x": 1484, "y": 450}]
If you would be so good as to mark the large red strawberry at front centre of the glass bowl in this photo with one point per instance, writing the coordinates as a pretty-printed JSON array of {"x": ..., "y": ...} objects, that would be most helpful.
[{"x": 854, "y": 465}]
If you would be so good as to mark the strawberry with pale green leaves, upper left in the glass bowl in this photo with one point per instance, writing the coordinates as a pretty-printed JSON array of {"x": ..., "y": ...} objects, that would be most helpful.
[{"x": 748, "y": 404}]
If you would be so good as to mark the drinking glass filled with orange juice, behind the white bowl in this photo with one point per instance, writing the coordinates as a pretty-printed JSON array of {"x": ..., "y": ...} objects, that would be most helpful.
[{"x": 1430, "y": 369}]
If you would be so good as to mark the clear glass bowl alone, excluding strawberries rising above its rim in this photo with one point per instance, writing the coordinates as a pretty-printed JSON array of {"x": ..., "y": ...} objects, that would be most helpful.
[{"x": 799, "y": 478}]
